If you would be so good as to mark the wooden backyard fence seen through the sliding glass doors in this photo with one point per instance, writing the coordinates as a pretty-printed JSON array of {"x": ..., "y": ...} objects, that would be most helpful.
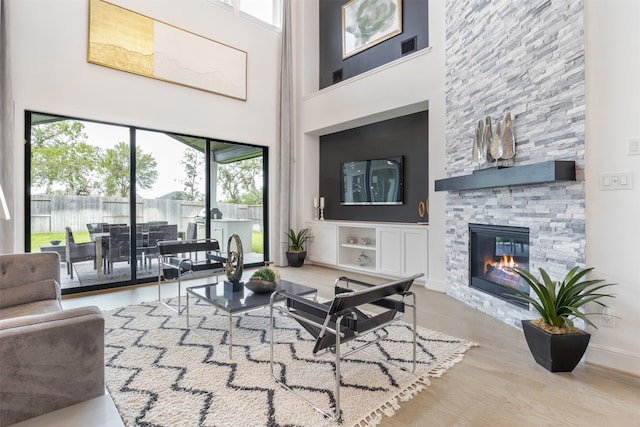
[{"x": 52, "y": 213}]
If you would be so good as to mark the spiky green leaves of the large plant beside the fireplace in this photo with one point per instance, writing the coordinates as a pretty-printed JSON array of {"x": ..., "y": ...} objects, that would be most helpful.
[{"x": 560, "y": 302}]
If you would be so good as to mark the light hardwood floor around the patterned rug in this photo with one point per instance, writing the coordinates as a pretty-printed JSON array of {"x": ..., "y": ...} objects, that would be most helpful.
[{"x": 497, "y": 384}]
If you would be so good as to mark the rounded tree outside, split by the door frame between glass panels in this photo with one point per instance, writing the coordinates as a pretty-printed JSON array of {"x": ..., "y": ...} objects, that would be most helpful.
[{"x": 115, "y": 169}]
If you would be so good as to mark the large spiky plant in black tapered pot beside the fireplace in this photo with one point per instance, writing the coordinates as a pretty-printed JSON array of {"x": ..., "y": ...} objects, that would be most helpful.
[{"x": 553, "y": 340}]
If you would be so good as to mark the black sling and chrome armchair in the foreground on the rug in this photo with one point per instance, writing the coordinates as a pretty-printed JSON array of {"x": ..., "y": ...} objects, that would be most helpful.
[{"x": 345, "y": 319}]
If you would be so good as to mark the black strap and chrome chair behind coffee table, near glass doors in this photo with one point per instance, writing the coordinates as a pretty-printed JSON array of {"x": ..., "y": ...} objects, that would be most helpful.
[{"x": 177, "y": 258}]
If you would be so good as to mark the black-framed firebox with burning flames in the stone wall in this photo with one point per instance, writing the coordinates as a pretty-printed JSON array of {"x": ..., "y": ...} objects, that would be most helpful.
[{"x": 493, "y": 251}]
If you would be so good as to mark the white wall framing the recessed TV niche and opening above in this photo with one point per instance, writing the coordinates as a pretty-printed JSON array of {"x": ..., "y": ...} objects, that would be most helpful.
[{"x": 413, "y": 83}]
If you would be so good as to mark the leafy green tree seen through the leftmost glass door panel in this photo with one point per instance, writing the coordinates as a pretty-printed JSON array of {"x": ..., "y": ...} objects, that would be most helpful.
[{"x": 61, "y": 158}]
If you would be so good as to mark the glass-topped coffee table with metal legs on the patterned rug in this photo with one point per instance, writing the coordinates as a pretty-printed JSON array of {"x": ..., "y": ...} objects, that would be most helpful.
[{"x": 240, "y": 301}]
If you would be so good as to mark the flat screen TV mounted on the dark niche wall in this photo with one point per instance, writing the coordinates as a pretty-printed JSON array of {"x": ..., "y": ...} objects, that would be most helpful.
[{"x": 372, "y": 182}]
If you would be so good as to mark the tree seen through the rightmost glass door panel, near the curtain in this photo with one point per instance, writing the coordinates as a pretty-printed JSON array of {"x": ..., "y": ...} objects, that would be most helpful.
[{"x": 239, "y": 181}]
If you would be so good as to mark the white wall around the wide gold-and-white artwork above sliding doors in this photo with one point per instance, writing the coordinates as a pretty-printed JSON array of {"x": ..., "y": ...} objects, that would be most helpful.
[{"x": 51, "y": 74}]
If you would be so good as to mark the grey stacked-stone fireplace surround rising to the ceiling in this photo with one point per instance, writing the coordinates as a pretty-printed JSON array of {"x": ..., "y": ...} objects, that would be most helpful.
[{"x": 526, "y": 58}]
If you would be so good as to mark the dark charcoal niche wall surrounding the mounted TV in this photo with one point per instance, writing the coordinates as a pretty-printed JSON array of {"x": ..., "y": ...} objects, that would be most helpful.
[{"x": 405, "y": 136}]
